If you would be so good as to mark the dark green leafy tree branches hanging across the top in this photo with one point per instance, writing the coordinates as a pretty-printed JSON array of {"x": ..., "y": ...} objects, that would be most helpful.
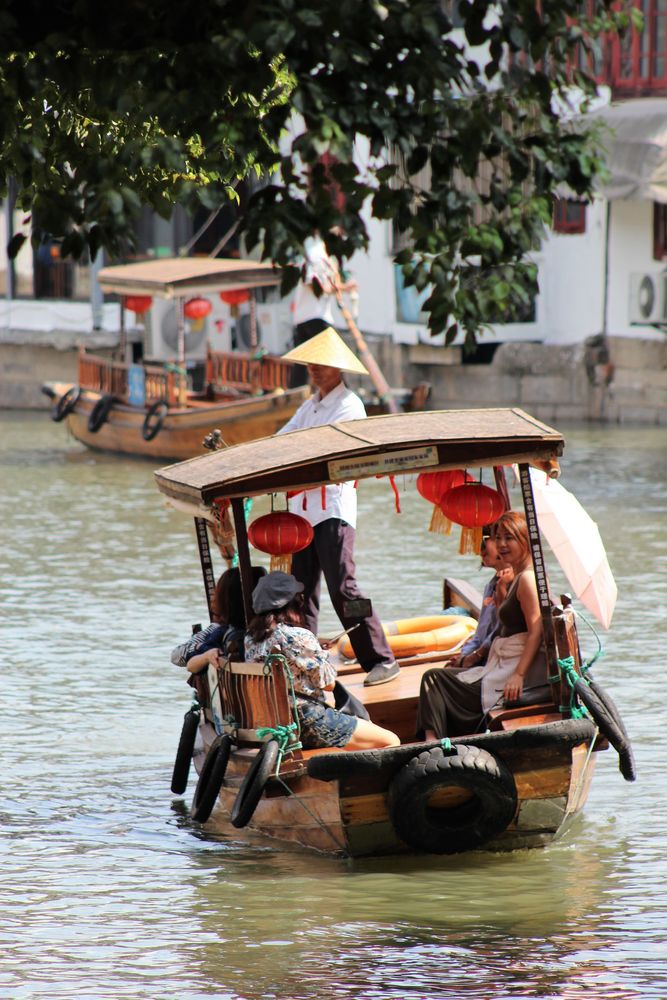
[{"x": 105, "y": 108}]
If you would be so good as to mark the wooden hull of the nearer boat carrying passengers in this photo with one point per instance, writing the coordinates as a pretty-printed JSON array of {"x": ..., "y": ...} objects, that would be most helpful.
[{"x": 350, "y": 815}]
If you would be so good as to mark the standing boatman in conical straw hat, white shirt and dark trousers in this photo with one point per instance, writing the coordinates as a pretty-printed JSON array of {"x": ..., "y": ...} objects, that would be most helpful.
[{"x": 334, "y": 515}]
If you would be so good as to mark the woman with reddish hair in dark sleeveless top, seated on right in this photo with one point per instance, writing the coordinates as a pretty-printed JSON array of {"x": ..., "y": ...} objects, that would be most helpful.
[{"x": 455, "y": 701}]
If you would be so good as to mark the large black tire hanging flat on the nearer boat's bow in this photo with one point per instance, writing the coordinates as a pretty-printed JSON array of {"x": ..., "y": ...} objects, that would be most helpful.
[{"x": 461, "y": 828}]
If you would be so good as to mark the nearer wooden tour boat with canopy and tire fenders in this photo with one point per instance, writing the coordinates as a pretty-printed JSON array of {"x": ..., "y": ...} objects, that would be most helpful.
[{"x": 519, "y": 784}]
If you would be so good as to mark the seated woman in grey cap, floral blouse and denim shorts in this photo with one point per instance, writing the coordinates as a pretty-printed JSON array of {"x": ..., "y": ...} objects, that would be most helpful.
[{"x": 278, "y": 627}]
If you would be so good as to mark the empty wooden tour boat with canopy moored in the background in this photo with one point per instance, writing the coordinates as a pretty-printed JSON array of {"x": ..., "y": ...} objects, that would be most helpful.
[{"x": 148, "y": 409}]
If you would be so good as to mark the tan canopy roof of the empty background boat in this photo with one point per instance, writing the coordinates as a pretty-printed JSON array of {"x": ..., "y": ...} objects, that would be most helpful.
[{"x": 169, "y": 277}]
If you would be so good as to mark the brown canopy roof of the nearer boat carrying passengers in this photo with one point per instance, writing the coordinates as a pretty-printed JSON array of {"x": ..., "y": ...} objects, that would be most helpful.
[{"x": 358, "y": 449}]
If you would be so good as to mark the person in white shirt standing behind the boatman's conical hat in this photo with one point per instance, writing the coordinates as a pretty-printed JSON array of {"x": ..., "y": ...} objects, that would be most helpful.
[{"x": 314, "y": 298}]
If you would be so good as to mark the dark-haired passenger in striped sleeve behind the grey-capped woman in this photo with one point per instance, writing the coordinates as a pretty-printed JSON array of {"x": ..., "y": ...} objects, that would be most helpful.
[{"x": 224, "y": 636}]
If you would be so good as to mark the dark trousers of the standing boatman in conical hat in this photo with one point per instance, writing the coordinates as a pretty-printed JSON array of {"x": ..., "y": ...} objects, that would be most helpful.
[{"x": 331, "y": 553}]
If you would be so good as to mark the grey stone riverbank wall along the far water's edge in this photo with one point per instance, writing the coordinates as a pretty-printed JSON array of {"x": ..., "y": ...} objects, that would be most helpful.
[{"x": 609, "y": 380}]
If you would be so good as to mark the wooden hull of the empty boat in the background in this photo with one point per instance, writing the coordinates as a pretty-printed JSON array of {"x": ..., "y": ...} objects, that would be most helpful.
[{"x": 184, "y": 428}]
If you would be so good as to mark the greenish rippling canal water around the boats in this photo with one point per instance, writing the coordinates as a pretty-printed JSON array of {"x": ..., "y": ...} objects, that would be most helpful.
[{"x": 108, "y": 890}]
